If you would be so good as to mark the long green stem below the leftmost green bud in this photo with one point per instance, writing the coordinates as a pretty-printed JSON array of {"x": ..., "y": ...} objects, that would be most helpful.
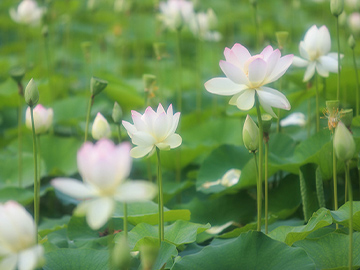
[{"x": 36, "y": 187}]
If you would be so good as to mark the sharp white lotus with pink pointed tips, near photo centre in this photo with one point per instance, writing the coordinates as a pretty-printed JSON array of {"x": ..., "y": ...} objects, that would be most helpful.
[{"x": 153, "y": 129}]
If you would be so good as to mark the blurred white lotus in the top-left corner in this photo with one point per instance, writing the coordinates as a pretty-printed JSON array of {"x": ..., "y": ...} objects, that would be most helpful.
[{"x": 28, "y": 12}]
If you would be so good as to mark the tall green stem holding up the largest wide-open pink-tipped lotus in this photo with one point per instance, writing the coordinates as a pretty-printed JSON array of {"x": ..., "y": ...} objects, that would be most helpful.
[{"x": 260, "y": 169}]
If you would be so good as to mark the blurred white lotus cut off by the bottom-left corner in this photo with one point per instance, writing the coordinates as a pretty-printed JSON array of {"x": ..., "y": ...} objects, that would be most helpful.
[{"x": 18, "y": 248}]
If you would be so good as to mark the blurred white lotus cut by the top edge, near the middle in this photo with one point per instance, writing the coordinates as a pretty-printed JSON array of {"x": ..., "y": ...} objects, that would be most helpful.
[{"x": 176, "y": 13}]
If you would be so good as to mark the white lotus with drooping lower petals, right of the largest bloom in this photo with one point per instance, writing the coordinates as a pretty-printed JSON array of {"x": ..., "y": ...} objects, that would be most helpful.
[{"x": 314, "y": 50}]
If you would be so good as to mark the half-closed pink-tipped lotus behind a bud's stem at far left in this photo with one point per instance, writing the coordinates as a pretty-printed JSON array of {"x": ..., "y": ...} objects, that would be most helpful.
[{"x": 43, "y": 118}]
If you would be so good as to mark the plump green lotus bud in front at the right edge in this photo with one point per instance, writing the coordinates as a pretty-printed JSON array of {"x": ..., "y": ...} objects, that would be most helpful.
[{"x": 344, "y": 143}]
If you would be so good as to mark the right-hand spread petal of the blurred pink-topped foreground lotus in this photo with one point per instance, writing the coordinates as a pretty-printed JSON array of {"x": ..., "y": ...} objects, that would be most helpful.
[{"x": 135, "y": 191}]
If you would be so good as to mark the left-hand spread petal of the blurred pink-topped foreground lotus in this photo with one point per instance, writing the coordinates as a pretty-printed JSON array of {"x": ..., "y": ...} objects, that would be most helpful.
[{"x": 73, "y": 188}]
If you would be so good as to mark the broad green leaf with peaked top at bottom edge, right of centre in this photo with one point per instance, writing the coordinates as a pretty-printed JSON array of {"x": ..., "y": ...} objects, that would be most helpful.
[{"x": 252, "y": 250}]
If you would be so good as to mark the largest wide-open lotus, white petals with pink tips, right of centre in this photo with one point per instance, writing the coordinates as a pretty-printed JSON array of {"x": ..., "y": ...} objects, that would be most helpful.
[{"x": 247, "y": 75}]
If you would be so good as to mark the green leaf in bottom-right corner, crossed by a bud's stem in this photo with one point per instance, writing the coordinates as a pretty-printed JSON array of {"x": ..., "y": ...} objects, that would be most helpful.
[{"x": 332, "y": 251}]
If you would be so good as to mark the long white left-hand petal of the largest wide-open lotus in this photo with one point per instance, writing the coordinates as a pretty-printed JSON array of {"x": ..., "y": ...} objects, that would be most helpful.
[{"x": 223, "y": 87}]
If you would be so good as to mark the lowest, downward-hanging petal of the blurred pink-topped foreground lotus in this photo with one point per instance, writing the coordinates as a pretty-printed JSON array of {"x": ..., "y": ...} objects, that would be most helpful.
[{"x": 99, "y": 211}]
